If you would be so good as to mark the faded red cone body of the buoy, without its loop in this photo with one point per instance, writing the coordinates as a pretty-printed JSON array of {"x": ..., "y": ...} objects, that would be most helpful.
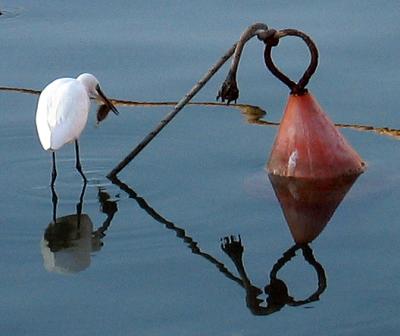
[{"x": 308, "y": 145}]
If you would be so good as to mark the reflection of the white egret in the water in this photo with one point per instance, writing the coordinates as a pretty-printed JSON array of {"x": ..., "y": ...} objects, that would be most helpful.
[{"x": 68, "y": 241}]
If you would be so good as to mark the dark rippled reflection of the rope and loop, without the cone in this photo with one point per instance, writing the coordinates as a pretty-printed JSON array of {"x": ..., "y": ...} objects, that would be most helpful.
[{"x": 276, "y": 290}]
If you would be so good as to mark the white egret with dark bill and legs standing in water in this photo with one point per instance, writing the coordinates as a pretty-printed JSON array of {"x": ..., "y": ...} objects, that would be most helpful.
[{"x": 62, "y": 113}]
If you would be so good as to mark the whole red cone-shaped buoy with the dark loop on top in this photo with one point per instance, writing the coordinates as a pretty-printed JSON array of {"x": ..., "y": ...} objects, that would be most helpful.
[{"x": 308, "y": 145}]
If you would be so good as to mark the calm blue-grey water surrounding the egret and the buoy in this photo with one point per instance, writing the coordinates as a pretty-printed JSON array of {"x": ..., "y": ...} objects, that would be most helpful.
[{"x": 154, "y": 265}]
